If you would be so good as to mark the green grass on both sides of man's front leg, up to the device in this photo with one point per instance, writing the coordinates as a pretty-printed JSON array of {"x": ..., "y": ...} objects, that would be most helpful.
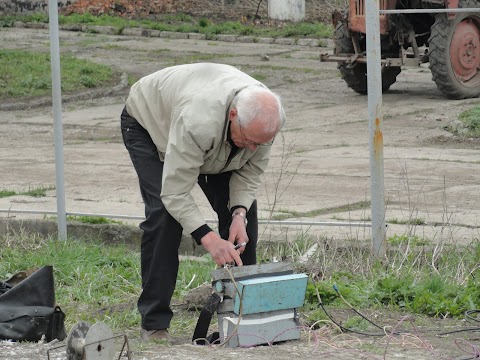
[{"x": 94, "y": 281}]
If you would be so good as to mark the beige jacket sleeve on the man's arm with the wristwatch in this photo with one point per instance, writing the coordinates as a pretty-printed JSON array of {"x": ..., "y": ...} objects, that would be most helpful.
[{"x": 244, "y": 182}]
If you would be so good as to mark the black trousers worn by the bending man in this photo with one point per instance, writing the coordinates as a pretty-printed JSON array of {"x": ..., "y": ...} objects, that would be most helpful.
[{"x": 162, "y": 233}]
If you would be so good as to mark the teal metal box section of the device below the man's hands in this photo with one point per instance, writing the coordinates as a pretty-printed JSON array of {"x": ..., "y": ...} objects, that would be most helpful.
[{"x": 269, "y": 294}]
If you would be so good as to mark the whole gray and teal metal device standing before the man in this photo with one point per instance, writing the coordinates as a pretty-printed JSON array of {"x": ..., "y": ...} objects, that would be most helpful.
[{"x": 258, "y": 303}]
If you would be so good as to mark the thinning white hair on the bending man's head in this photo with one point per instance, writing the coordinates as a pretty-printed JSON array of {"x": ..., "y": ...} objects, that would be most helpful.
[{"x": 256, "y": 102}]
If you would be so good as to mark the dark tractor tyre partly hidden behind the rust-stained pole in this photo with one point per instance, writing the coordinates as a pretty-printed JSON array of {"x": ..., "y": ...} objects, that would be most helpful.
[{"x": 356, "y": 76}]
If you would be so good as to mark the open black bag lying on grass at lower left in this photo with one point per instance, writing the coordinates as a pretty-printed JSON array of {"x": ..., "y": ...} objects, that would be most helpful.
[{"x": 28, "y": 311}]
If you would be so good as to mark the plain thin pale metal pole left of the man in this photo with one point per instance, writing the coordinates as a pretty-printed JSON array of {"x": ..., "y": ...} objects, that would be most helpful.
[{"x": 57, "y": 115}]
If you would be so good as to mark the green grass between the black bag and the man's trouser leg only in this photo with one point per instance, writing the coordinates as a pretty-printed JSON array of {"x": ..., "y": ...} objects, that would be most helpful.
[{"x": 88, "y": 276}]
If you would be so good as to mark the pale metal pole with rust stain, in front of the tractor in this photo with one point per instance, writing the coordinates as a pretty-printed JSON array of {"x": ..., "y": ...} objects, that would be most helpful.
[{"x": 375, "y": 118}]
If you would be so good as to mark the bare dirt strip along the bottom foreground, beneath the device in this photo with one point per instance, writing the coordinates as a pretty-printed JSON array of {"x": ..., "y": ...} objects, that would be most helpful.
[{"x": 417, "y": 339}]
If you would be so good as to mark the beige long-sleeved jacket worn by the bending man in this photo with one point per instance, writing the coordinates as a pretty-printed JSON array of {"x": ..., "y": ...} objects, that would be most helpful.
[{"x": 184, "y": 109}]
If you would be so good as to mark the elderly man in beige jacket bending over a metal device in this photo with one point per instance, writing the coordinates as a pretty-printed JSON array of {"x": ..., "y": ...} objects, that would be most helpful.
[{"x": 204, "y": 123}]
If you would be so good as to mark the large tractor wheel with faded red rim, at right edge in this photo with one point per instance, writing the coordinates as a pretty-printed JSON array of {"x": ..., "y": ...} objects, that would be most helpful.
[{"x": 454, "y": 53}]
